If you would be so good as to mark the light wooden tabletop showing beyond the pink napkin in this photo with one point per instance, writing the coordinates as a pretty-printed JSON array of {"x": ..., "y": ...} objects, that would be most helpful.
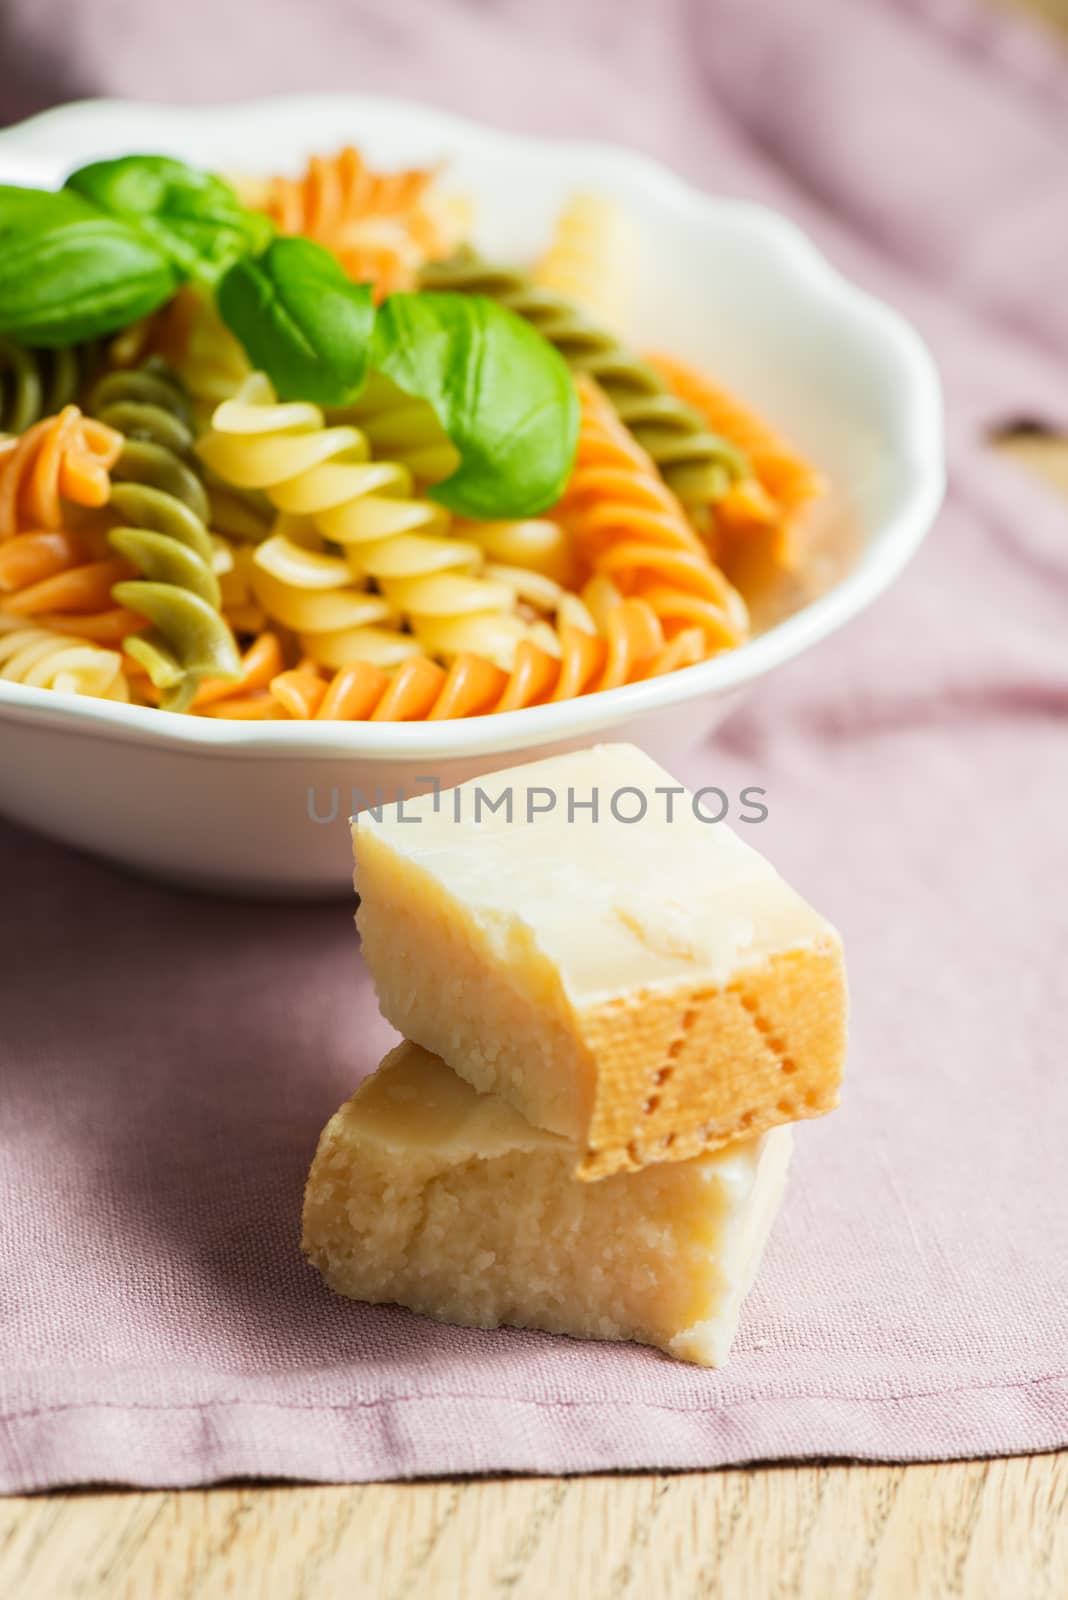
[{"x": 979, "y": 1530}]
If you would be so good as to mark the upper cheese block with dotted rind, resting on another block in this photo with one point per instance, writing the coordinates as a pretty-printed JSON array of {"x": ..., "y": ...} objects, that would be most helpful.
[{"x": 647, "y": 990}]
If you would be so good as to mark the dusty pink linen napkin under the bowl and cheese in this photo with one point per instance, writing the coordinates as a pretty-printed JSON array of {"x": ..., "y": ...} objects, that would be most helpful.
[{"x": 169, "y": 1062}]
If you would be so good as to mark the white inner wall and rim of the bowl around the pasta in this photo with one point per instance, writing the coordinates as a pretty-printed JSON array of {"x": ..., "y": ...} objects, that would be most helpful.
[{"x": 722, "y": 284}]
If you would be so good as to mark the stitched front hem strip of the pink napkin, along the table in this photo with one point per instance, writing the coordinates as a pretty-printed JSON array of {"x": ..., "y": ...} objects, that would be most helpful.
[{"x": 402, "y": 1438}]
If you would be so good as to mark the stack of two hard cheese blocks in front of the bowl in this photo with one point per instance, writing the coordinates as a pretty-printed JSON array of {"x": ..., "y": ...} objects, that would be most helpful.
[{"x": 613, "y": 1010}]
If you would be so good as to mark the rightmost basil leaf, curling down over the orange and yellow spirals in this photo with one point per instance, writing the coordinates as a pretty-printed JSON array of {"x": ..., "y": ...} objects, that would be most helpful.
[{"x": 501, "y": 393}]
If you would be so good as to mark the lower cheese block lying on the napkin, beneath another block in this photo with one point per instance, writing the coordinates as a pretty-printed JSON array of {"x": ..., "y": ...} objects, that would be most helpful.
[{"x": 445, "y": 1201}]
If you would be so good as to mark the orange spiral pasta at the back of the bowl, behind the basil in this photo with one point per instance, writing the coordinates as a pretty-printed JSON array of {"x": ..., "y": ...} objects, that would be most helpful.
[{"x": 381, "y": 226}]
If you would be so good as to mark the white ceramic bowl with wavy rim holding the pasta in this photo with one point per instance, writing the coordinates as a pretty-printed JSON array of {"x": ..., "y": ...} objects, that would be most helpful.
[{"x": 261, "y": 809}]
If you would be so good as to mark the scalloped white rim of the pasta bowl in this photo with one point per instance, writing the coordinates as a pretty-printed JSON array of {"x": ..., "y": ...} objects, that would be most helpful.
[{"x": 919, "y": 441}]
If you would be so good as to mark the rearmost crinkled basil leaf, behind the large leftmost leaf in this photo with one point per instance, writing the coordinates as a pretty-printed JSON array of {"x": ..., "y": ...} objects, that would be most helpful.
[{"x": 194, "y": 217}]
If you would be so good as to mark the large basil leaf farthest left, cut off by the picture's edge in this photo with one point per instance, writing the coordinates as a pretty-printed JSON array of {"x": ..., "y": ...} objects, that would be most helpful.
[{"x": 71, "y": 274}]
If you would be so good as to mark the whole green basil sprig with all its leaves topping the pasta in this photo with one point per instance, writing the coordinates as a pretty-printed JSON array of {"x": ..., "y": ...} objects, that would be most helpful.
[{"x": 122, "y": 236}]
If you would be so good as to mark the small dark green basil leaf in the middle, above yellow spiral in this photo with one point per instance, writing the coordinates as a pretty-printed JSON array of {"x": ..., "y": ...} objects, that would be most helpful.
[{"x": 301, "y": 321}]
